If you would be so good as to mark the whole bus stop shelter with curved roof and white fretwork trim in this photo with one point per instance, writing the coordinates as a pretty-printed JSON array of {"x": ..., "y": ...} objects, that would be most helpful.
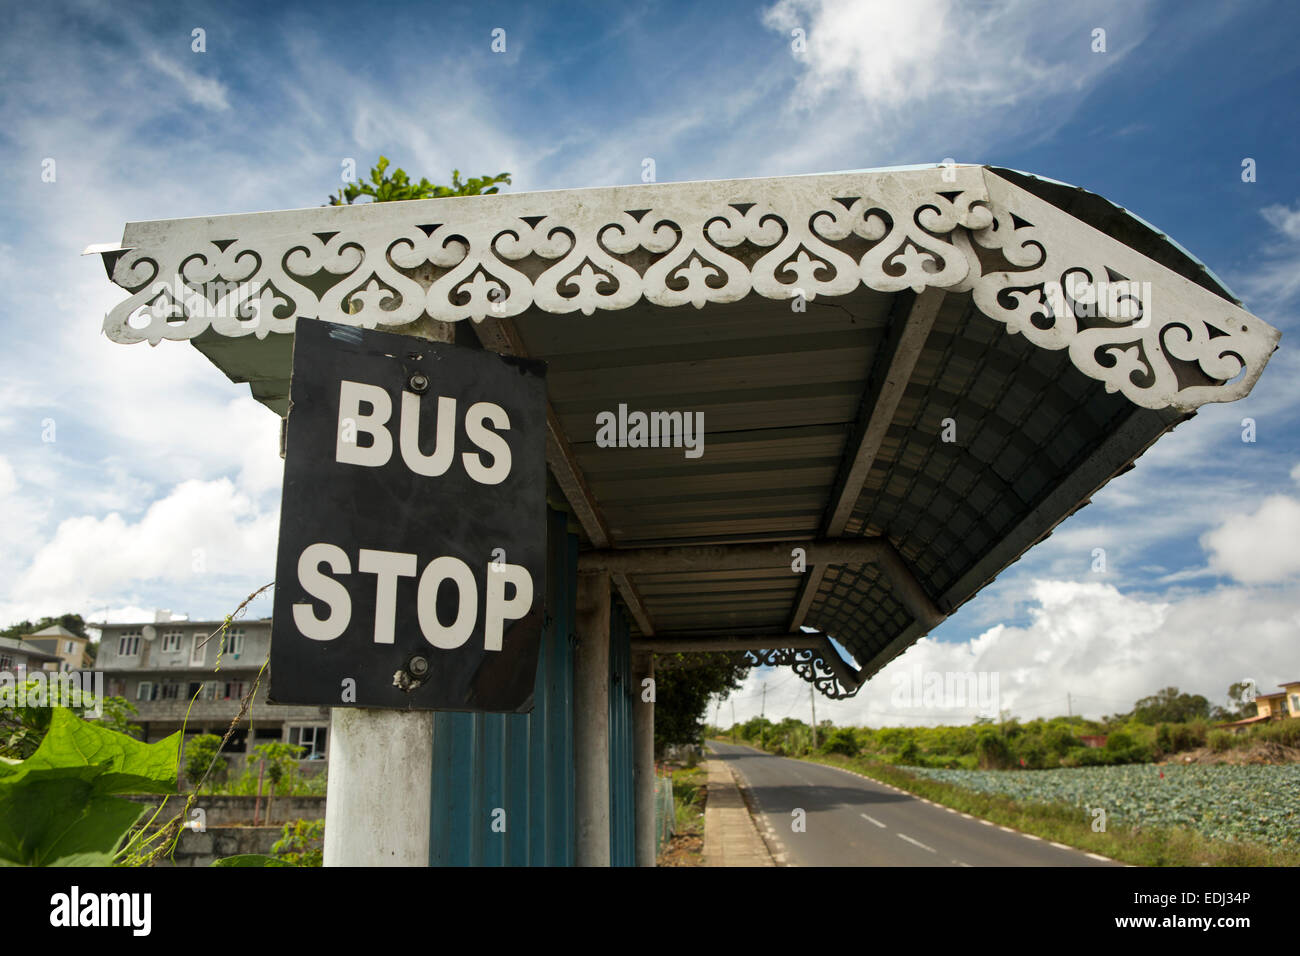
[{"x": 907, "y": 378}]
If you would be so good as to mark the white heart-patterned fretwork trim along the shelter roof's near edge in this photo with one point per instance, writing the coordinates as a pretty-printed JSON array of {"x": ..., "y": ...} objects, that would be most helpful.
[{"x": 1028, "y": 265}]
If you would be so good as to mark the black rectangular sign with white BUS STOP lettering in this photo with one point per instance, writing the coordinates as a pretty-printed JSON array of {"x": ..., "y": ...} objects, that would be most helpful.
[{"x": 411, "y": 570}]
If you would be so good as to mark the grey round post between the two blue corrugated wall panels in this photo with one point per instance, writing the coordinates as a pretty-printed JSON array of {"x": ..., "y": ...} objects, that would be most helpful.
[{"x": 592, "y": 721}]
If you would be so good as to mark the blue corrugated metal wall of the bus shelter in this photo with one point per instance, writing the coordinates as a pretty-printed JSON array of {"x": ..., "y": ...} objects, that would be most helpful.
[{"x": 523, "y": 764}]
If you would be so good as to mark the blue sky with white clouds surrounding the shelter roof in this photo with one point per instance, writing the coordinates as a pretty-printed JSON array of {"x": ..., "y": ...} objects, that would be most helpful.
[{"x": 161, "y": 485}]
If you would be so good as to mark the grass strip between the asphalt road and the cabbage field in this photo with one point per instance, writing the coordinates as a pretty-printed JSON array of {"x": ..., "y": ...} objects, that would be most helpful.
[{"x": 1139, "y": 846}]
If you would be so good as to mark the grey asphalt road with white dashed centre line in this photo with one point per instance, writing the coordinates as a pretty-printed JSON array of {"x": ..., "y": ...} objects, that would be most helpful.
[{"x": 851, "y": 821}]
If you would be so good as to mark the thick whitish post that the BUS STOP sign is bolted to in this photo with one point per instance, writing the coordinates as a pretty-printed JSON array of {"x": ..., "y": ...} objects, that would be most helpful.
[{"x": 382, "y": 764}]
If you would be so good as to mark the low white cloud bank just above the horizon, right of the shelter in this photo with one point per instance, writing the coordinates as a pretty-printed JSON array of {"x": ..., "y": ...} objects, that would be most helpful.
[{"x": 1087, "y": 641}]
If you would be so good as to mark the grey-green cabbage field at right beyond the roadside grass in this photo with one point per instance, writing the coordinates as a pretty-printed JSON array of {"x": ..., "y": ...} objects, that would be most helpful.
[{"x": 1255, "y": 803}]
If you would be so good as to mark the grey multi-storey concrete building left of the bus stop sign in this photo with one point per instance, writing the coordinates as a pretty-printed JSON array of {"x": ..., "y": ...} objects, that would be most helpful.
[{"x": 162, "y": 667}]
